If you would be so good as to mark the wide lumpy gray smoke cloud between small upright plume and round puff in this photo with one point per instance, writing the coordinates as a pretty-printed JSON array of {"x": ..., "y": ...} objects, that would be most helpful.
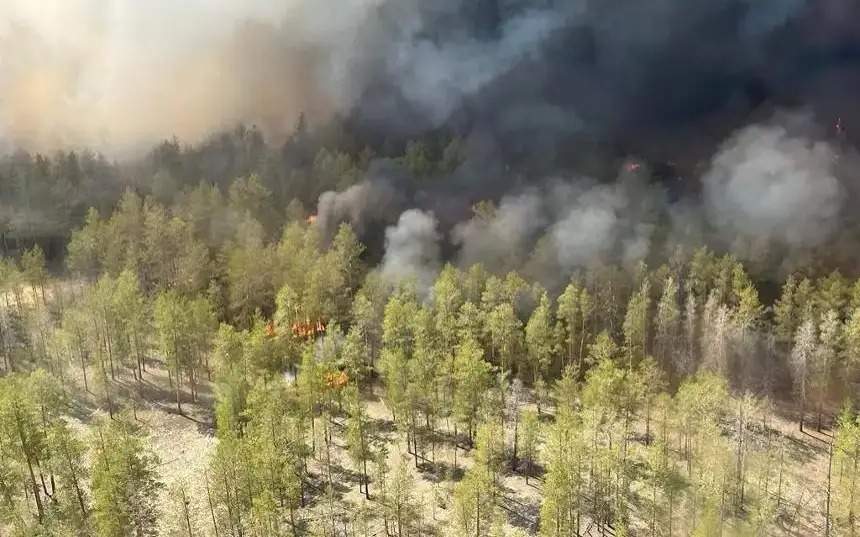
[{"x": 564, "y": 226}]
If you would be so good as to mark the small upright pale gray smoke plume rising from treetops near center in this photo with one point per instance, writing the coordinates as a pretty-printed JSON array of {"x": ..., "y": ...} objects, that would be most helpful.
[{"x": 412, "y": 249}]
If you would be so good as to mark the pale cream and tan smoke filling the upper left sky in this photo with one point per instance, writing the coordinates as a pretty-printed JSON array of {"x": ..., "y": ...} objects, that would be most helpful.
[{"x": 119, "y": 75}]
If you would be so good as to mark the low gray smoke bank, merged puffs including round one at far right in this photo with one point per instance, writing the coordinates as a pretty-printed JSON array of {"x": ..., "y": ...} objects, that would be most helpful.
[{"x": 774, "y": 193}]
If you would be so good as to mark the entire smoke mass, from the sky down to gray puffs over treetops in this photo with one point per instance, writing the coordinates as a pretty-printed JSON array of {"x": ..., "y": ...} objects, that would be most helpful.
[{"x": 603, "y": 133}]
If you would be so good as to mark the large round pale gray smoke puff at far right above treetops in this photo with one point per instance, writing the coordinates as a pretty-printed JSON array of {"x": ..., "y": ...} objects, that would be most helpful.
[{"x": 774, "y": 186}]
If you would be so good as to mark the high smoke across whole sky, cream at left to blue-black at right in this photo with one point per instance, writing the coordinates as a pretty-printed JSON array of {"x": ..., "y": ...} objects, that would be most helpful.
[{"x": 118, "y": 75}]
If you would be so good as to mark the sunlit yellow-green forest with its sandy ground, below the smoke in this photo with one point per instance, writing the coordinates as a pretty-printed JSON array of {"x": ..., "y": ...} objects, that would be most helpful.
[{"x": 193, "y": 370}]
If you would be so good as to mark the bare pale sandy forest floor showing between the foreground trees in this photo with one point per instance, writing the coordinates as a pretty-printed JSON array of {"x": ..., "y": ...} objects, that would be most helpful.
[{"x": 184, "y": 444}]
